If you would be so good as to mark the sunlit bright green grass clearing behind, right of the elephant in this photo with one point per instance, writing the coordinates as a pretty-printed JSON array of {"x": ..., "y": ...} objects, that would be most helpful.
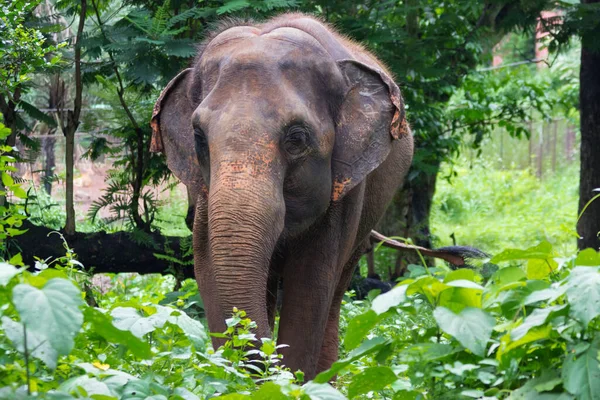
[{"x": 495, "y": 209}]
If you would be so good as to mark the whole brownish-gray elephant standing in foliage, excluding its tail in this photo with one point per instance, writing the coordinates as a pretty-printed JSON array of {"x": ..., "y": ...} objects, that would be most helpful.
[{"x": 292, "y": 141}]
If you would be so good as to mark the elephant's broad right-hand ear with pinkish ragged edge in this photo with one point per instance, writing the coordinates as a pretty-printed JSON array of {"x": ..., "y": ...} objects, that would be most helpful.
[{"x": 370, "y": 118}]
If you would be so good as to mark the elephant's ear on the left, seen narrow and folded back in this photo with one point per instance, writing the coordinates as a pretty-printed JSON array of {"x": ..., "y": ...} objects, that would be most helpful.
[{"x": 172, "y": 131}]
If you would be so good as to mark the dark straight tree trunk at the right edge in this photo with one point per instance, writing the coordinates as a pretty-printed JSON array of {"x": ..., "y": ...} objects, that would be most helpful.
[{"x": 589, "y": 176}]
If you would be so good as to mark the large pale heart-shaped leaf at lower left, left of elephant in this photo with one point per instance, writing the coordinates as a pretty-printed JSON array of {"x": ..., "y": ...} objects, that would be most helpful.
[{"x": 51, "y": 313}]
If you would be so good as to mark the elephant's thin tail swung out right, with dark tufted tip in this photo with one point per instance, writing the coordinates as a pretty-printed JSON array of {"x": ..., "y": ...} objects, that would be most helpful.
[{"x": 459, "y": 256}]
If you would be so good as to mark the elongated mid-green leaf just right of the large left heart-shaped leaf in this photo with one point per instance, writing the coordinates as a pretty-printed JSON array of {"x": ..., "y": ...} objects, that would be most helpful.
[{"x": 101, "y": 324}]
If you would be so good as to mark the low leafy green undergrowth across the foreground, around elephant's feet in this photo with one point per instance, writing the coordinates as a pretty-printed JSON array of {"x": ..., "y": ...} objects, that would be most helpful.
[{"x": 523, "y": 325}]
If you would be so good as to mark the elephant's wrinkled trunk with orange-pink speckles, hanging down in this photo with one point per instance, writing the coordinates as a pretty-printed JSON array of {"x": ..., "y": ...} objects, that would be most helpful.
[{"x": 245, "y": 219}]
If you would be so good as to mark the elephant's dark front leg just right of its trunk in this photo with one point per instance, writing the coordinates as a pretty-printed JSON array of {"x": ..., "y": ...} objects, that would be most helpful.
[{"x": 310, "y": 279}]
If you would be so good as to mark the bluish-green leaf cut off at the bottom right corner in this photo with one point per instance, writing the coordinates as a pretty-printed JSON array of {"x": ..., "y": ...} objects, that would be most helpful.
[{"x": 581, "y": 373}]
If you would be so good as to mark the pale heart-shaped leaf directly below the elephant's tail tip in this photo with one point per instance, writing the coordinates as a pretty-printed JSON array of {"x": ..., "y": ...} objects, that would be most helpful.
[{"x": 472, "y": 327}]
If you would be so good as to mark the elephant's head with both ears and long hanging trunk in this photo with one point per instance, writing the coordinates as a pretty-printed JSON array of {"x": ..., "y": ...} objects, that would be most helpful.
[{"x": 271, "y": 125}]
